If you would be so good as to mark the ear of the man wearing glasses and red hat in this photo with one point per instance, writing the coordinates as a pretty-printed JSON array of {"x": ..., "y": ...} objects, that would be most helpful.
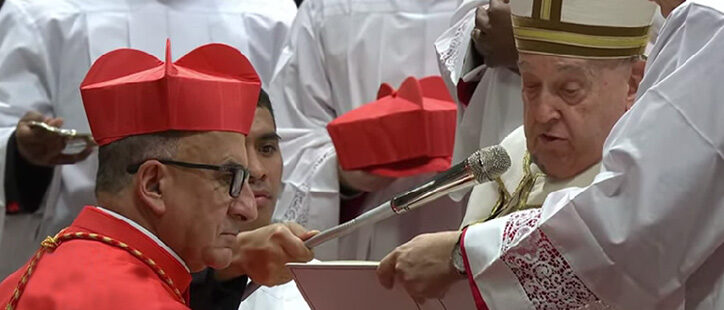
[{"x": 150, "y": 179}]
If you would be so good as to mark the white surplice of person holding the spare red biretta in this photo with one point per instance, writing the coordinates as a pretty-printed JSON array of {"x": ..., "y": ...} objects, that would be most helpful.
[{"x": 339, "y": 53}]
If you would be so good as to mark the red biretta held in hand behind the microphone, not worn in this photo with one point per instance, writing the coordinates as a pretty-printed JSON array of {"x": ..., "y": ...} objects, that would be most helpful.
[{"x": 403, "y": 133}]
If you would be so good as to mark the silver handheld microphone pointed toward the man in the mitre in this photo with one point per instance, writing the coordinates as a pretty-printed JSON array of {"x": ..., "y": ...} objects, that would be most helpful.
[{"x": 482, "y": 166}]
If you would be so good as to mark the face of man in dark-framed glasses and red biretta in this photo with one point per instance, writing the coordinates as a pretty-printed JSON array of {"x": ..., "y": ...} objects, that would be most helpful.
[{"x": 202, "y": 218}]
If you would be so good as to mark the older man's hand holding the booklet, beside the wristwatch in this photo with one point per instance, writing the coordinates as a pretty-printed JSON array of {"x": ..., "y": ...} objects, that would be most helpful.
[{"x": 423, "y": 266}]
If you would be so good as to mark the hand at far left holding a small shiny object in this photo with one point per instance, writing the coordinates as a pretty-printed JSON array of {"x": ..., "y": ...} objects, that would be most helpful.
[{"x": 43, "y": 148}]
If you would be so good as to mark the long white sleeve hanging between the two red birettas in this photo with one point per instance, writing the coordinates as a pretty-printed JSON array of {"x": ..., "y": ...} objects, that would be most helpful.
[{"x": 301, "y": 95}]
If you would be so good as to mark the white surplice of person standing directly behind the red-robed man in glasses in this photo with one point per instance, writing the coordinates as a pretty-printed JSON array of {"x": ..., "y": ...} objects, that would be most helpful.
[{"x": 46, "y": 48}]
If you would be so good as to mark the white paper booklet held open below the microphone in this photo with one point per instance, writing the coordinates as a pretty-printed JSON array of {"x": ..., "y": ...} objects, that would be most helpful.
[{"x": 353, "y": 285}]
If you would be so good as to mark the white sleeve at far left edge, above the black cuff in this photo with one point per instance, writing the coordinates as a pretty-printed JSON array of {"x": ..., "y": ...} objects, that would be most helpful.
[{"x": 26, "y": 78}]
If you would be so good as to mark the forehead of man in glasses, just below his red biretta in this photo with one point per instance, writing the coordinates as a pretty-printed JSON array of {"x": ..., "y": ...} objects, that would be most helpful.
[{"x": 213, "y": 147}]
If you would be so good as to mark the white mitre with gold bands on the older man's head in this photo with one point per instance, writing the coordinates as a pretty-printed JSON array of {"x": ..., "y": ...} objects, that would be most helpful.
[{"x": 582, "y": 28}]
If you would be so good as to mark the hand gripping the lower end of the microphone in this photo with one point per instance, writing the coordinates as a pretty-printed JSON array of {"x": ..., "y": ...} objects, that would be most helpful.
[{"x": 263, "y": 253}]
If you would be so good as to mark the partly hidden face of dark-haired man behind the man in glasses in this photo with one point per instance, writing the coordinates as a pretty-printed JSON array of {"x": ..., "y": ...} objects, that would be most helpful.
[{"x": 265, "y": 165}]
